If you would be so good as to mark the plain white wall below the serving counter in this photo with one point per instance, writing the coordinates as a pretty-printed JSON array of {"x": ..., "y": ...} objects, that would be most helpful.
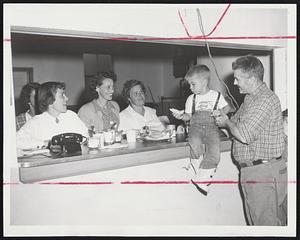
[{"x": 124, "y": 205}]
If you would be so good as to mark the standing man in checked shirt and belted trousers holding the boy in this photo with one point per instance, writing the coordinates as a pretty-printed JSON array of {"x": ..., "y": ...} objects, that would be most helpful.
[{"x": 258, "y": 144}]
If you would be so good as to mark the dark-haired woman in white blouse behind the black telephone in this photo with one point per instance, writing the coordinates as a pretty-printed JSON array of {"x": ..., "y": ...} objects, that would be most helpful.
[{"x": 54, "y": 118}]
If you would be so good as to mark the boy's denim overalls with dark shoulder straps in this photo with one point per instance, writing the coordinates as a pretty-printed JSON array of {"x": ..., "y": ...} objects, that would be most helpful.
[{"x": 203, "y": 130}]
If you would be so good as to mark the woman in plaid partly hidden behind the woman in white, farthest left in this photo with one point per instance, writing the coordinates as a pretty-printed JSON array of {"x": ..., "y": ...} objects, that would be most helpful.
[{"x": 28, "y": 100}]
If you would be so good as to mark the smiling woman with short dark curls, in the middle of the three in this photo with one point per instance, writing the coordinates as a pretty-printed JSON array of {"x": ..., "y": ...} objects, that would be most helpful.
[{"x": 101, "y": 113}]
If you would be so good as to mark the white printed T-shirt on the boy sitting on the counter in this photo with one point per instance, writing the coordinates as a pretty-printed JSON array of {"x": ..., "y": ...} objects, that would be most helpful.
[{"x": 205, "y": 102}]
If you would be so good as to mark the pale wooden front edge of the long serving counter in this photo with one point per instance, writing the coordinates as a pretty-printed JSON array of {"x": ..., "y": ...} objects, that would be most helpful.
[{"x": 74, "y": 168}]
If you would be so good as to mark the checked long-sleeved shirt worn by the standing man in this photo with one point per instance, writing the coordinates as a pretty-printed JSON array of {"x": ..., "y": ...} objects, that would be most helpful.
[{"x": 260, "y": 122}]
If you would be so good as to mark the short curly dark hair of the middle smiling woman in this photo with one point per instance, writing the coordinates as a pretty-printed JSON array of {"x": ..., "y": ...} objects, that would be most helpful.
[{"x": 96, "y": 81}]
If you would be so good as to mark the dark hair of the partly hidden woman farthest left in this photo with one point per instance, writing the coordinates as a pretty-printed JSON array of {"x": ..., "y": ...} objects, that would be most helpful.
[{"x": 25, "y": 95}]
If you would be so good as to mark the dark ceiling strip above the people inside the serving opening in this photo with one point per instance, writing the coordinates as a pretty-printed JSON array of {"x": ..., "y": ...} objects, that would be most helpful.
[{"x": 34, "y": 43}]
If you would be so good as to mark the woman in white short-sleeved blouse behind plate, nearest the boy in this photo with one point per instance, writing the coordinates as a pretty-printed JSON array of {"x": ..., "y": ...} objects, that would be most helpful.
[{"x": 137, "y": 115}]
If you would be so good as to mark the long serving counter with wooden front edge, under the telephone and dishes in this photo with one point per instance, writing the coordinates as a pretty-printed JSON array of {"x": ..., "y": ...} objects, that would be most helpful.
[{"x": 38, "y": 168}]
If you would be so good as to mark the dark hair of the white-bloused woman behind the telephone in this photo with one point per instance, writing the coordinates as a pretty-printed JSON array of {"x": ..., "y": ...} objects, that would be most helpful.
[{"x": 46, "y": 94}]
